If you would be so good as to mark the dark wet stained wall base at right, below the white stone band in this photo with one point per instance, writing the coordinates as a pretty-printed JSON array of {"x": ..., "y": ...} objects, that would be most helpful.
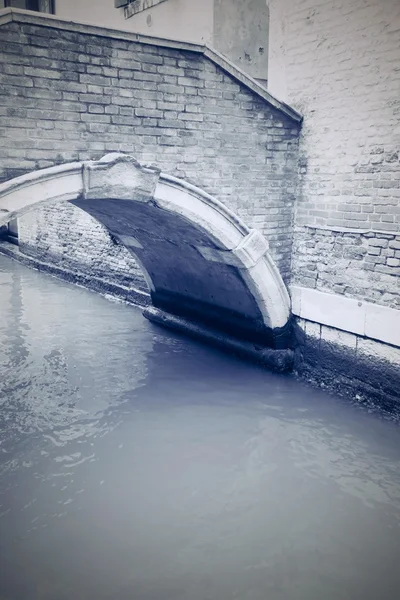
[{"x": 363, "y": 379}]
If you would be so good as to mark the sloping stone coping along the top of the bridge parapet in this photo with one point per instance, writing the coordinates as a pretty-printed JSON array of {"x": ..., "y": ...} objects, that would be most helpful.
[{"x": 8, "y": 15}]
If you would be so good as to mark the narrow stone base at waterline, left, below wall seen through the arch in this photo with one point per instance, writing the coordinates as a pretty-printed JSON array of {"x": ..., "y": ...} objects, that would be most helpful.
[{"x": 86, "y": 280}]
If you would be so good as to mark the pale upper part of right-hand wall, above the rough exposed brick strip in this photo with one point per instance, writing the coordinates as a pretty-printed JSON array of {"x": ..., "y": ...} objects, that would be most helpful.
[{"x": 340, "y": 63}]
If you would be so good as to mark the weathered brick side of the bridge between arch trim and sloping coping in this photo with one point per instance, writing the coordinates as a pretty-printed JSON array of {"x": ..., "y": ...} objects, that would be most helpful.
[{"x": 69, "y": 95}]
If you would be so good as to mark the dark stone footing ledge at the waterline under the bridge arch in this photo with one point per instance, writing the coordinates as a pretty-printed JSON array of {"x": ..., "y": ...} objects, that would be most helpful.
[{"x": 276, "y": 360}]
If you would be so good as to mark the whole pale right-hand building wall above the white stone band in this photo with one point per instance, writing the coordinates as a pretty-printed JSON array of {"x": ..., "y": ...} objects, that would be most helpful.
[{"x": 337, "y": 63}]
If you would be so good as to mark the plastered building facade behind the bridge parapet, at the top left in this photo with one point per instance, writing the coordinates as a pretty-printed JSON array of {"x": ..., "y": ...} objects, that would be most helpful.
[{"x": 236, "y": 28}]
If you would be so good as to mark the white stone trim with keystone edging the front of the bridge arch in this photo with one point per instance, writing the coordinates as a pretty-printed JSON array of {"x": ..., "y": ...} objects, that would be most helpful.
[{"x": 121, "y": 176}]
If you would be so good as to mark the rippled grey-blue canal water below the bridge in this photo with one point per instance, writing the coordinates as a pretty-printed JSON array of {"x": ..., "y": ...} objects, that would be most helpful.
[{"x": 139, "y": 465}]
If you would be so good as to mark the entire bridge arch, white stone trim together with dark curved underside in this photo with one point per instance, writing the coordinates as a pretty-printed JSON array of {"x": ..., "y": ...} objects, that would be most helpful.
[{"x": 200, "y": 260}]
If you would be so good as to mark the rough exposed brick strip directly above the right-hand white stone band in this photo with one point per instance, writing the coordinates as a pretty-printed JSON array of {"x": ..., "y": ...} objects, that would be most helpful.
[{"x": 363, "y": 265}]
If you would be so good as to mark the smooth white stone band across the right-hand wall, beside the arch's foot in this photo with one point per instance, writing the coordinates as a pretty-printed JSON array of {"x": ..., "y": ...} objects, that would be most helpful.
[{"x": 354, "y": 316}]
